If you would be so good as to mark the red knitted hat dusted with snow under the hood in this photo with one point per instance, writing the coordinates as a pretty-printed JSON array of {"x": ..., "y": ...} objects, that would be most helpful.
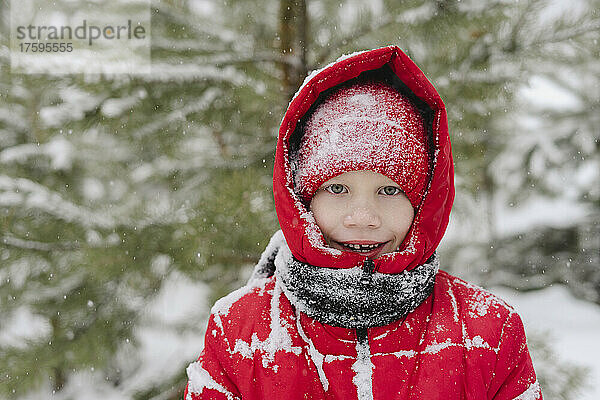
[{"x": 365, "y": 126}]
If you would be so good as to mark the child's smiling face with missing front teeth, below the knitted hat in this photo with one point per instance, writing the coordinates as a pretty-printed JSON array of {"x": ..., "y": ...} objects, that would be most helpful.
[{"x": 362, "y": 211}]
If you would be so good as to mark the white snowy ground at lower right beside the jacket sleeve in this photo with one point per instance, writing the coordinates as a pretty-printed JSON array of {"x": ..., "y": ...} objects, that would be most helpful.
[{"x": 572, "y": 326}]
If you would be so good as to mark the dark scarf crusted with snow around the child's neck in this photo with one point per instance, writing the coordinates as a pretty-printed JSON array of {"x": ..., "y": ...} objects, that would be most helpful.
[{"x": 338, "y": 297}]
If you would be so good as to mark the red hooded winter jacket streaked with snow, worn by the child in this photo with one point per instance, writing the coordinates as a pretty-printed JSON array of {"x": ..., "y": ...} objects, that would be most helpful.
[{"x": 457, "y": 342}]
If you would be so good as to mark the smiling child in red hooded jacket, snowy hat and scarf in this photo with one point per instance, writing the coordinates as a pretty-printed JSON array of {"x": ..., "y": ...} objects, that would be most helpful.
[{"x": 347, "y": 301}]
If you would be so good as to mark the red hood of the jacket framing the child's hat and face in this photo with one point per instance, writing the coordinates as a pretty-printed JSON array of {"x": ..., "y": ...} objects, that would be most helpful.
[{"x": 303, "y": 236}]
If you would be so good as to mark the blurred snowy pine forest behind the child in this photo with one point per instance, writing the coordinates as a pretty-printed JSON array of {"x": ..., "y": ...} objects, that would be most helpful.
[{"x": 128, "y": 204}]
